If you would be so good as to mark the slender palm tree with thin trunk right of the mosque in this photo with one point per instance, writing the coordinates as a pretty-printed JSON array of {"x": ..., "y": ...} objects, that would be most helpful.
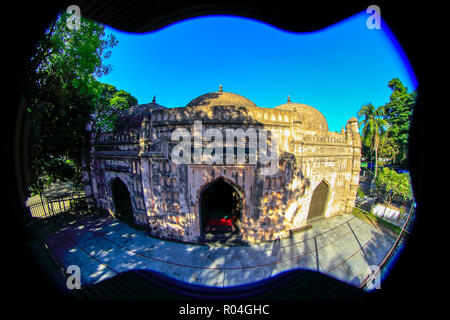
[{"x": 373, "y": 132}]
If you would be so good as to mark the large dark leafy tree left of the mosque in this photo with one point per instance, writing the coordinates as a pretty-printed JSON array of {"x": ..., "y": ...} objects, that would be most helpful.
[{"x": 60, "y": 93}]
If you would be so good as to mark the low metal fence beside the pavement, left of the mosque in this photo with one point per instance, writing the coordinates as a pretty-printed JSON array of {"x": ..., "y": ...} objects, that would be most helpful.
[{"x": 44, "y": 207}]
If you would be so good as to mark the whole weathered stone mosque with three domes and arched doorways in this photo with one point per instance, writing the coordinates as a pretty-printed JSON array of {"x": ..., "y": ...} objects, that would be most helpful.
[{"x": 269, "y": 172}]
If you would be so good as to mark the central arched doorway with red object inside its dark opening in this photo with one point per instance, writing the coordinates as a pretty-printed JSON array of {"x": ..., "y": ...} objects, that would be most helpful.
[{"x": 220, "y": 207}]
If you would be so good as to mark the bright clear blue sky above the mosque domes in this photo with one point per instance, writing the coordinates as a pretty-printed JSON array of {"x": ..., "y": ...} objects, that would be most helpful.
[{"x": 335, "y": 70}]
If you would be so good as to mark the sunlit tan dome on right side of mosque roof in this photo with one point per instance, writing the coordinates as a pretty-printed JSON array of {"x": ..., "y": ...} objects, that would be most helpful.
[{"x": 311, "y": 118}]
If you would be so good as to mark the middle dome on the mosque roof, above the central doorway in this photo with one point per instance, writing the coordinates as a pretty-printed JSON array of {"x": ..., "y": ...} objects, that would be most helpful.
[{"x": 221, "y": 98}]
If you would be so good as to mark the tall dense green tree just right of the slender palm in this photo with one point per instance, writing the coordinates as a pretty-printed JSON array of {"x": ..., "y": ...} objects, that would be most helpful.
[{"x": 398, "y": 114}]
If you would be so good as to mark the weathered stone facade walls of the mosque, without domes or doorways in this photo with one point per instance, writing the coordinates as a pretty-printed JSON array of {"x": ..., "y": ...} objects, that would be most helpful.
[{"x": 165, "y": 196}]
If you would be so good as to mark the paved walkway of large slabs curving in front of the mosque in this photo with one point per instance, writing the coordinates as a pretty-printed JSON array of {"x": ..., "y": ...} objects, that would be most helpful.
[{"x": 342, "y": 247}]
